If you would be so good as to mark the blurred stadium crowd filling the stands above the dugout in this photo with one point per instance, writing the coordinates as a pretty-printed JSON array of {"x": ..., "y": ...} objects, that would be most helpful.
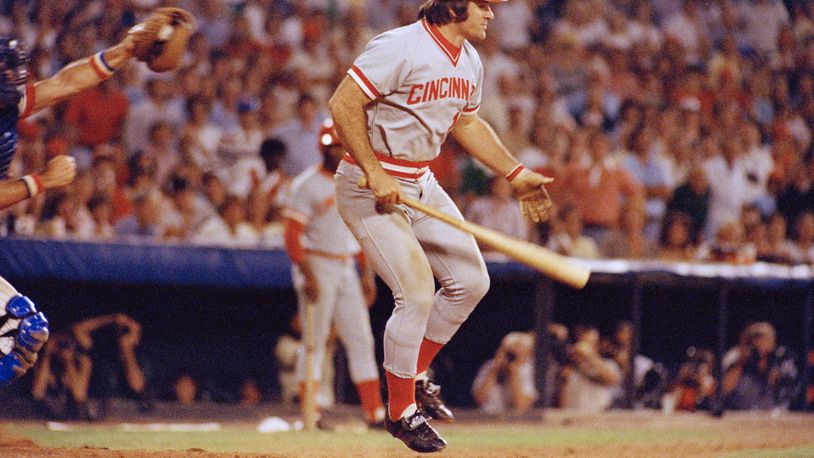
[{"x": 675, "y": 130}]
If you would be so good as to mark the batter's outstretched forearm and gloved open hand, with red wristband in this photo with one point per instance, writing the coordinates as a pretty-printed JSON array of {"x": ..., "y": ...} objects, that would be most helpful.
[{"x": 481, "y": 141}]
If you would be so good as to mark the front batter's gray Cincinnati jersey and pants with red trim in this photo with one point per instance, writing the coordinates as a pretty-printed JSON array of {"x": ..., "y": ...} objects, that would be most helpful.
[{"x": 420, "y": 84}]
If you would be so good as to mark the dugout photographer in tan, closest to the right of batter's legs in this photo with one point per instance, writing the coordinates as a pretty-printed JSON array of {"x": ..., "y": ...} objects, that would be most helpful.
[{"x": 505, "y": 383}]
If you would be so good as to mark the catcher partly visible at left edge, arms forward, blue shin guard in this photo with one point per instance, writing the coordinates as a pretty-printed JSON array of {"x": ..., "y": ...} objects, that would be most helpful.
[{"x": 23, "y": 330}]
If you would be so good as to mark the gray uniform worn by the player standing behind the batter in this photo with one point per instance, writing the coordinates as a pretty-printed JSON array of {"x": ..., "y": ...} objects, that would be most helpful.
[{"x": 330, "y": 249}]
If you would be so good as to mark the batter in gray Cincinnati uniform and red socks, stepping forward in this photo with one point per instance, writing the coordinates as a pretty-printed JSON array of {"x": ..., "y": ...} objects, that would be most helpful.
[{"x": 401, "y": 97}]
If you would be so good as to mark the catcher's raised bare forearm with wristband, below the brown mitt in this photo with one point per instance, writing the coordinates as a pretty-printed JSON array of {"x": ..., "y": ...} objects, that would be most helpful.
[{"x": 82, "y": 74}]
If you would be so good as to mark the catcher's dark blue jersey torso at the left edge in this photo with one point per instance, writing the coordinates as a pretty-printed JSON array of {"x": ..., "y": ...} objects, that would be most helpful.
[{"x": 13, "y": 75}]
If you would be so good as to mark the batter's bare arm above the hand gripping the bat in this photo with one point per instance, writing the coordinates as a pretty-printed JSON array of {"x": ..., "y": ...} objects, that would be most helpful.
[{"x": 348, "y": 111}]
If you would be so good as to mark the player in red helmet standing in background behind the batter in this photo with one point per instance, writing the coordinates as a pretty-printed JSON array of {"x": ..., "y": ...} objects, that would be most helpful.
[{"x": 322, "y": 251}]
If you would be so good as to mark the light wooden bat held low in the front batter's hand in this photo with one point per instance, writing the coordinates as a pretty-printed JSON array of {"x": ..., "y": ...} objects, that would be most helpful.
[{"x": 546, "y": 261}]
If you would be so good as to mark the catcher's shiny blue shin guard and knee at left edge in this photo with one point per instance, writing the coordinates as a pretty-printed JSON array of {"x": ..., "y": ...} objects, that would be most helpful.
[{"x": 23, "y": 332}]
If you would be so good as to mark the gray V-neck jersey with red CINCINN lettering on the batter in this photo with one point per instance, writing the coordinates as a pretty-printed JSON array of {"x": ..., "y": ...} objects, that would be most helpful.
[{"x": 414, "y": 70}]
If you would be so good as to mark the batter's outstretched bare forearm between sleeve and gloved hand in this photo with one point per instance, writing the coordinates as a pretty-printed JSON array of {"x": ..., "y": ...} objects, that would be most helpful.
[{"x": 481, "y": 142}]
